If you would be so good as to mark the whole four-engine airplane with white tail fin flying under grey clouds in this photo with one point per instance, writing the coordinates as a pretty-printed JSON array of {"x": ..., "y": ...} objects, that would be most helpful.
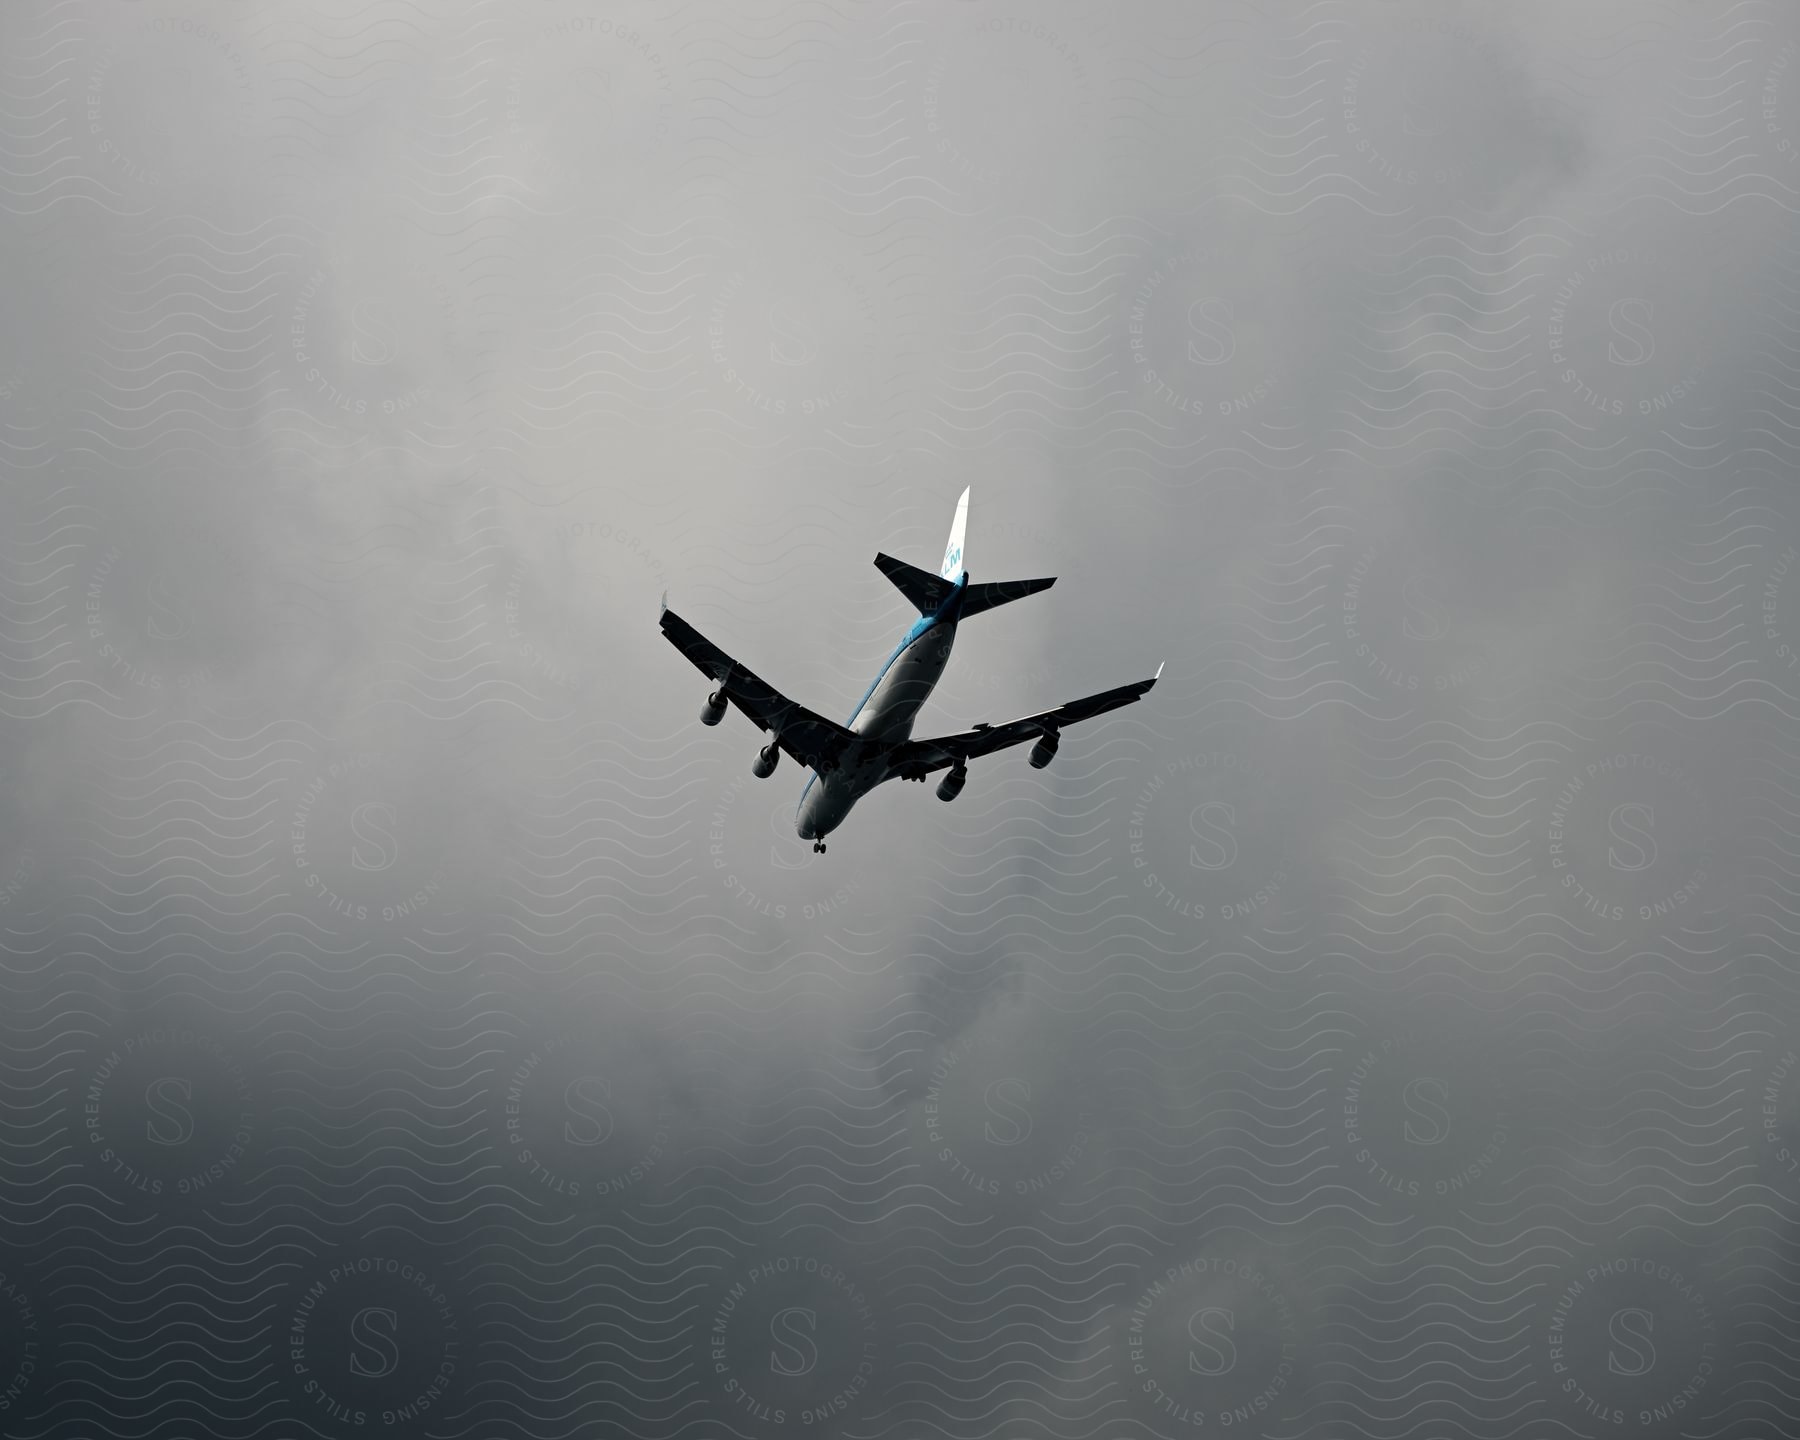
[{"x": 876, "y": 742}]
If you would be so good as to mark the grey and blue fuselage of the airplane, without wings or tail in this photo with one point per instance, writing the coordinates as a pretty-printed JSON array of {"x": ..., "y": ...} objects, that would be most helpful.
[{"x": 886, "y": 715}]
